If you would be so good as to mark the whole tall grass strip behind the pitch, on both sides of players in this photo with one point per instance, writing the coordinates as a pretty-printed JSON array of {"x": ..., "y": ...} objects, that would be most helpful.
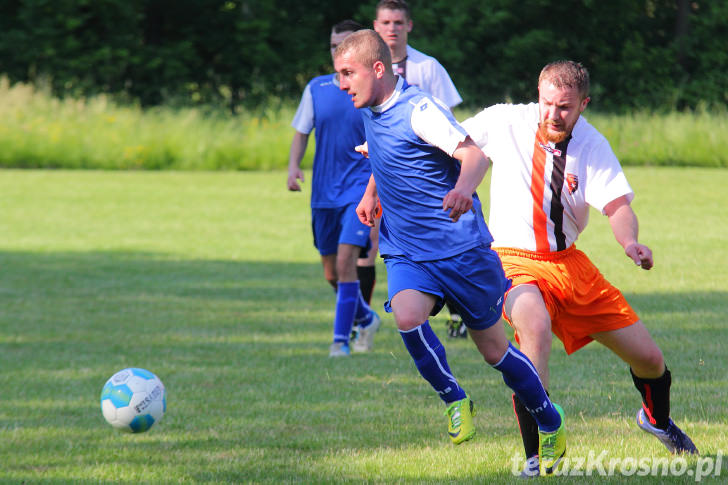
[{"x": 39, "y": 131}]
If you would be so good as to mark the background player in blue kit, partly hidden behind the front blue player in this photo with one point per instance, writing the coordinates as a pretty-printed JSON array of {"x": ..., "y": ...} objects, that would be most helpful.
[{"x": 339, "y": 178}]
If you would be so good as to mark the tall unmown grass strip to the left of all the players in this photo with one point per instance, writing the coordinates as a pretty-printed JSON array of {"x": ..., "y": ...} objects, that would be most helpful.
[{"x": 39, "y": 131}]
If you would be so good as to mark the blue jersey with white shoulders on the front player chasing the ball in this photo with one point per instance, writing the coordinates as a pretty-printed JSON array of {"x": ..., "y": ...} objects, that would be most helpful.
[{"x": 412, "y": 178}]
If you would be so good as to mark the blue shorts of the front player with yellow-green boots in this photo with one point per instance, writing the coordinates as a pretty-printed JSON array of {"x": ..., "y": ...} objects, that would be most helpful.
[{"x": 473, "y": 281}]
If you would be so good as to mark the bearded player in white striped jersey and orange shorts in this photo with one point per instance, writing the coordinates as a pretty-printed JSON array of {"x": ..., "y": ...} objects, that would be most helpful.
[{"x": 549, "y": 166}]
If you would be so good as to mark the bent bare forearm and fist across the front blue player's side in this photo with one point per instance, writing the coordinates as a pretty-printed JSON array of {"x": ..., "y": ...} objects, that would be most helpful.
[{"x": 474, "y": 164}]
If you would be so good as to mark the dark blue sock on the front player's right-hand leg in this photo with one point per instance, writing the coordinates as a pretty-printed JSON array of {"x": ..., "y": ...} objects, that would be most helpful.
[{"x": 520, "y": 375}]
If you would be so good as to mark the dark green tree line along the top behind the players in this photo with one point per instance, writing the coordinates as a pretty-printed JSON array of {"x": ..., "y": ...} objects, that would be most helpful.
[{"x": 642, "y": 54}]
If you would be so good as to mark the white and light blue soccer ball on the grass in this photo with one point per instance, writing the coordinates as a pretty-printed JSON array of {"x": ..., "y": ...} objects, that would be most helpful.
[{"x": 132, "y": 400}]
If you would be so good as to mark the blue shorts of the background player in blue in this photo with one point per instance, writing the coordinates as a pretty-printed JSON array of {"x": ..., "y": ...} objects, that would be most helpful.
[{"x": 340, "y": 225}]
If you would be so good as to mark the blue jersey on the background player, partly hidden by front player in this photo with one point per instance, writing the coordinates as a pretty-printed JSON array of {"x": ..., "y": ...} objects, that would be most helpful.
[{"x": 340, "y": 174}]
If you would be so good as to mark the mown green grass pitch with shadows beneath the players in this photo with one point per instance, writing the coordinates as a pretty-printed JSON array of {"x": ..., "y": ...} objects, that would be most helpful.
[{"x": 210, "y": 280}]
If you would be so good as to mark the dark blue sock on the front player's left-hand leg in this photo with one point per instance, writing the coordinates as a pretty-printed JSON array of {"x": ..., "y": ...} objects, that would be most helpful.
[{"x": 429, "y": 356}]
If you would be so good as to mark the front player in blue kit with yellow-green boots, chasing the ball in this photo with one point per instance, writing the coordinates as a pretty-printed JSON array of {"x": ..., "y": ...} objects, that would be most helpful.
[{"x": 433, "y": 237}]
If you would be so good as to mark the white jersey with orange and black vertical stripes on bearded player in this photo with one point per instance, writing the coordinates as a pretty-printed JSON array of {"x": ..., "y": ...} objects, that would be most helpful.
[{"x": 541, "y": 191}]
